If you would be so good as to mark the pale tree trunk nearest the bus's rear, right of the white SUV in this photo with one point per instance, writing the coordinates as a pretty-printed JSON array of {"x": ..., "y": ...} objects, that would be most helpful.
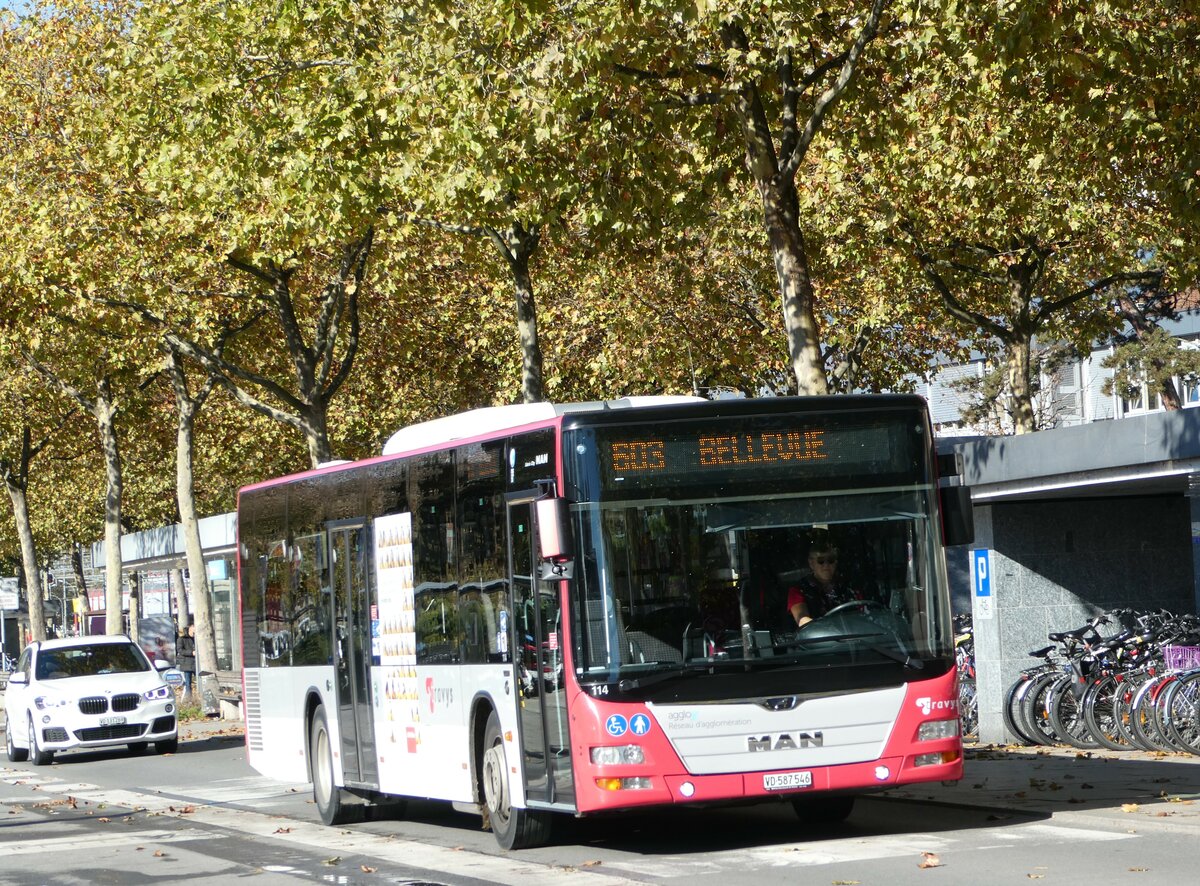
[{"x": 202, "y": 601}]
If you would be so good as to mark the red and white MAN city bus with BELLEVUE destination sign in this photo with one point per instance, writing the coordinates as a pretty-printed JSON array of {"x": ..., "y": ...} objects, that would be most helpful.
[{"x": 575, "y": 609}]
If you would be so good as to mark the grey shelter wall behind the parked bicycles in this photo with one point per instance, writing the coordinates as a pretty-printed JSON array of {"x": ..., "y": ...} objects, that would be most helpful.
[{"x": 1057, "y": 564}]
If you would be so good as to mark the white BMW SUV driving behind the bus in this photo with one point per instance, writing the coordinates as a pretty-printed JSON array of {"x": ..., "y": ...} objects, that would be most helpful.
[{"x": 89, "y": 692}]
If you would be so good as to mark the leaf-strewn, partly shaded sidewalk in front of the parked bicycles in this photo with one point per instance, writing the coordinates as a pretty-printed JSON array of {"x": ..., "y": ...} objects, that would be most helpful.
[{"x": 1130, "y": 787}]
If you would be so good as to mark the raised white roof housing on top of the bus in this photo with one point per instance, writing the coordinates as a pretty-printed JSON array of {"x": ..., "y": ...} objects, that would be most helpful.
[{"x": 501, "y": 418}]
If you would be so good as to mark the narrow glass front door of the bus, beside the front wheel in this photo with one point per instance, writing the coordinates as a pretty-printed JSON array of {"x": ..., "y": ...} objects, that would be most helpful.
[{"x": 538, "y": 660}]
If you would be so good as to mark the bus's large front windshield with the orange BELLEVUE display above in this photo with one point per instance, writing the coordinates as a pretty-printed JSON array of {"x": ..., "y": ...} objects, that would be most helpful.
[{"x": 773, "y": 546}]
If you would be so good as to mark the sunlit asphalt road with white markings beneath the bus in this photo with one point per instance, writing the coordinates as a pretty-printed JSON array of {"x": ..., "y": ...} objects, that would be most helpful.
[{"x": 203, "y": 817}]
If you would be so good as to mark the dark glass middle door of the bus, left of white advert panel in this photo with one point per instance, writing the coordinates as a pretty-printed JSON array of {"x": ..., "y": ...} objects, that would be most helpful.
[{"x": 352, "y": 651}]
